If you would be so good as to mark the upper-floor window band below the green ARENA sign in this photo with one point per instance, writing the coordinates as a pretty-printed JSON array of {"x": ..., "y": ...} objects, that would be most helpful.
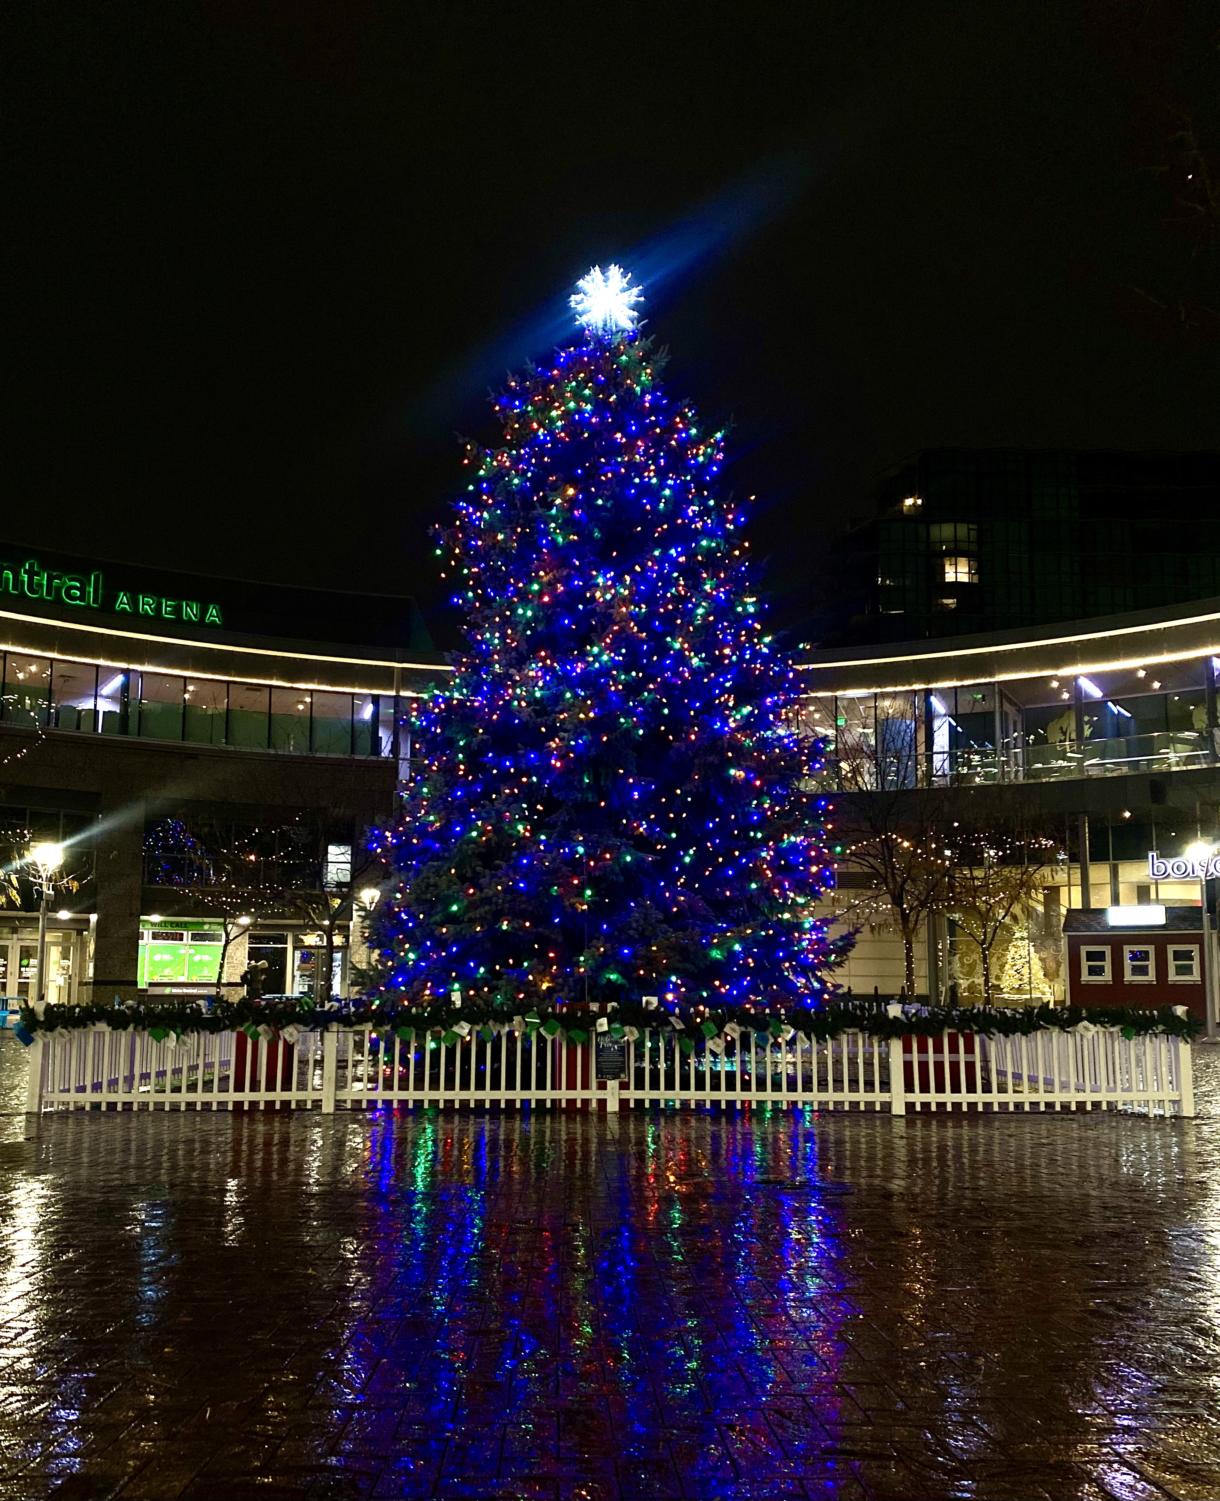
[{"x": 88, "y": 699}]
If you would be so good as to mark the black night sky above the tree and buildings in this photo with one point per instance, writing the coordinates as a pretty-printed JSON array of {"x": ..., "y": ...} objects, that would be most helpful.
[{"x": 266, "y": 259}]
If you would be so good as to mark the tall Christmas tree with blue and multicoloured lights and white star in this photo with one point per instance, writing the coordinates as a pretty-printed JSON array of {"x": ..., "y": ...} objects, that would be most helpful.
[{"x": 612, "y": 798}]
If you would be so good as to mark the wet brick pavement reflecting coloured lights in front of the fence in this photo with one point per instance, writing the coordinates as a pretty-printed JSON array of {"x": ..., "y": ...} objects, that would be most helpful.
[{"x": 563, "y": 1307}]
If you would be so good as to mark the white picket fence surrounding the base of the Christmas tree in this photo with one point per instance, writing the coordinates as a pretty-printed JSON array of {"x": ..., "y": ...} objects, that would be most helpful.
[{"x": 358, "y": 1068}]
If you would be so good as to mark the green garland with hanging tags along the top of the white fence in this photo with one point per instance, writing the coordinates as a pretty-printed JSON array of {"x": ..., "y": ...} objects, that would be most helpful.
[{"x": 697, "y": 1029}]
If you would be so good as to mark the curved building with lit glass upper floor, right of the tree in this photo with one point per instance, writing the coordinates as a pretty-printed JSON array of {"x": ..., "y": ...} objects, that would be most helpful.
[{"x": 1104, "y": 733}]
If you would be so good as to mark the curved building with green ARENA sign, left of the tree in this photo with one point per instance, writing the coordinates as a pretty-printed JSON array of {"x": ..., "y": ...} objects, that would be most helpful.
[{"x": 209, "y": 753}]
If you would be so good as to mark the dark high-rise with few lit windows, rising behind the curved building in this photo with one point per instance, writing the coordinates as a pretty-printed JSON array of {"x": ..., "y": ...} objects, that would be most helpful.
[{"x": 990, "y": 540}]
